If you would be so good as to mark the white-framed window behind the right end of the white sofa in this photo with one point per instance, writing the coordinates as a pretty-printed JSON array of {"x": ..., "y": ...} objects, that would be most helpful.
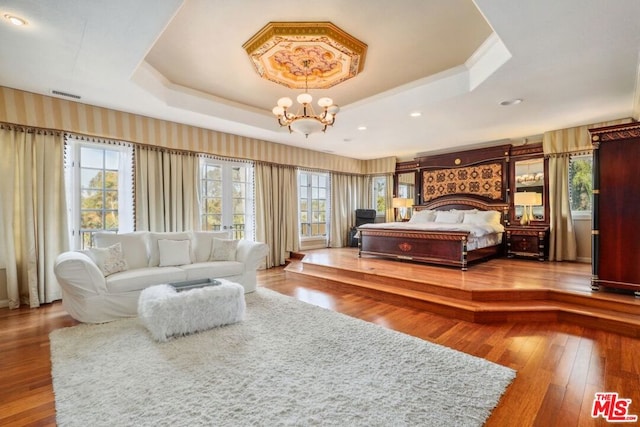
[{"x": 227, "y": 197}]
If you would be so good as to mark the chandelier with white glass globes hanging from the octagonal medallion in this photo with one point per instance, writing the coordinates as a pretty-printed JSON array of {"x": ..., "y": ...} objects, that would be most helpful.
[{"x": 306, "y": 121}]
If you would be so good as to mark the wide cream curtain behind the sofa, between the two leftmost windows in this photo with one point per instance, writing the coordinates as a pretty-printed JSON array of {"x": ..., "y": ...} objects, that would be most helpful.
[{"x": 166, "y": 185}]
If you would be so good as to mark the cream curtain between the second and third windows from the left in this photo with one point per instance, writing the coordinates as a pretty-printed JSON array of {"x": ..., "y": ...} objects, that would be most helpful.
[{"x": 277, "y": 211}]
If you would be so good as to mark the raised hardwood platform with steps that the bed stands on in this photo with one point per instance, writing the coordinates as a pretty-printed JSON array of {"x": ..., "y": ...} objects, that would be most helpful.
[{"x": 475, "y": 295}]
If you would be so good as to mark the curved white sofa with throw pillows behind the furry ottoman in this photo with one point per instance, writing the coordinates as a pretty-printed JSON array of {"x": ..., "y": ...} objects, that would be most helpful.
[{"x": 103, "y": 284}]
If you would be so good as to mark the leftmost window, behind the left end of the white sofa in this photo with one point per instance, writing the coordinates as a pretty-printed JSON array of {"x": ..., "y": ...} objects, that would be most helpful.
[{"x": 99, "y": 190}]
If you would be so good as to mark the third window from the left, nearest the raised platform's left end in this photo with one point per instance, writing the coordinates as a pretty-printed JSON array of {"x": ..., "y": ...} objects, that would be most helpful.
[{"x": 314, "y": 204}]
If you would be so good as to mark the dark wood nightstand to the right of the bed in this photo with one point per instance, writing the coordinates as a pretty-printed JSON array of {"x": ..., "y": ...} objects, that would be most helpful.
[{"x": 528, "y": 241}]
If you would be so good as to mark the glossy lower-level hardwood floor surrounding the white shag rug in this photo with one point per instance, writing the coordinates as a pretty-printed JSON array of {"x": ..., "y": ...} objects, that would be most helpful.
[{"x": 560, "y": 365}]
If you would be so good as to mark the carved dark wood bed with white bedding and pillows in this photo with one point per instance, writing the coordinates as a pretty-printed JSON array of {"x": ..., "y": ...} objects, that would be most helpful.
[{"x": 451, "y": 231}]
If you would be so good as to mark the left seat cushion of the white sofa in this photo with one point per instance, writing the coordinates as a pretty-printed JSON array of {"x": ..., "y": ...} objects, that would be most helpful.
[{"x": 140, "y": 278}]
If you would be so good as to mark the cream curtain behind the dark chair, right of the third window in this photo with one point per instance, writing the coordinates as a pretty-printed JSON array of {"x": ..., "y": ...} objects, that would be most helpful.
[{"x": 348, "y": 193}]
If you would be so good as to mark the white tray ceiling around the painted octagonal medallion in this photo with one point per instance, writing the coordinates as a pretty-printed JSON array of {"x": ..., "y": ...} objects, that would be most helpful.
[{"x": 573, "y": 62}]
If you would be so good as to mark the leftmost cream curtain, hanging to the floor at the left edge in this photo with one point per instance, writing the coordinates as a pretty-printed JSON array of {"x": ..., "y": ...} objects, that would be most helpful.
[{"x": 33, "y": 217}]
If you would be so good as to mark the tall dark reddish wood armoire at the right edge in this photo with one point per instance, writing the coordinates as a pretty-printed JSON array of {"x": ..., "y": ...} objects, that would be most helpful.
[{"x": 616, "y": 207}]
